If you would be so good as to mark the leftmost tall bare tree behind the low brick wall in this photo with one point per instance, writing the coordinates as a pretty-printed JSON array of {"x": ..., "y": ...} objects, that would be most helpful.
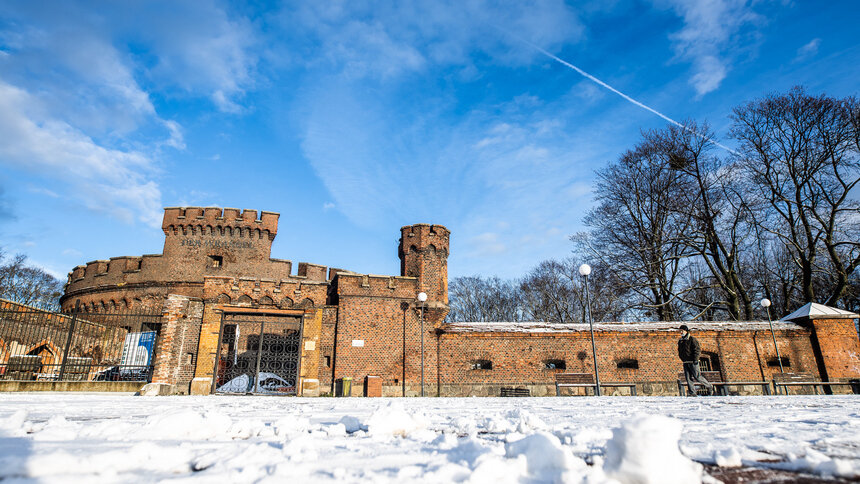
[{"x": 636, "y": 231}]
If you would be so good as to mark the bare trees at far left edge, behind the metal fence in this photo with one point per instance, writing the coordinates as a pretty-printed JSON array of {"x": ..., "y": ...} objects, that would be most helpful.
[{"x": 27, "y": 284}]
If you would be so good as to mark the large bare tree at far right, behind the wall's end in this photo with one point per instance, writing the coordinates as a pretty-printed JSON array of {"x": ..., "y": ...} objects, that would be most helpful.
[{"x": 803, "y": 155}]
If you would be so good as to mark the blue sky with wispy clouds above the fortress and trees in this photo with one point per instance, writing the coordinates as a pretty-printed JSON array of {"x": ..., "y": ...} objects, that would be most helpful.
[{"x": 352, "y": 119}]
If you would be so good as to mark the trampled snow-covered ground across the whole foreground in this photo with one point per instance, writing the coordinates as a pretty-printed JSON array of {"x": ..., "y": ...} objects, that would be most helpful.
[{"x": 121, "y": 438}]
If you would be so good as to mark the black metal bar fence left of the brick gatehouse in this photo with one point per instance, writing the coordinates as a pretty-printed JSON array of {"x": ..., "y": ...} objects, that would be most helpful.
[{"x": 76, "y": 346}]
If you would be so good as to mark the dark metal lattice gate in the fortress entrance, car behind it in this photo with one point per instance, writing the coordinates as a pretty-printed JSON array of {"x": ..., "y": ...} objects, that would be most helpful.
[{"x": 258, "y": 354}]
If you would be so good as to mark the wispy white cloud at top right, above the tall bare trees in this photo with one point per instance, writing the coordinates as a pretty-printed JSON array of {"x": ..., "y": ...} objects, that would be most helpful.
[{"x": 709, "y": 29}]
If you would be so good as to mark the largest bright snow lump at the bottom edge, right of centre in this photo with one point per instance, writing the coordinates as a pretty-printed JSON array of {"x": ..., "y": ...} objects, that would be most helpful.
[{"x": 645, "y": 451}]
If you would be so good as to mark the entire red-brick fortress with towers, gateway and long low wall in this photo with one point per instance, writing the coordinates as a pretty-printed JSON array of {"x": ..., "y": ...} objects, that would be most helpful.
[{"x": 236, "y": 320}]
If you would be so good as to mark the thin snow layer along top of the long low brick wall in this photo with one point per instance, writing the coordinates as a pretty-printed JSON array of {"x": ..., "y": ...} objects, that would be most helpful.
[{"x": 668, "y": 326}]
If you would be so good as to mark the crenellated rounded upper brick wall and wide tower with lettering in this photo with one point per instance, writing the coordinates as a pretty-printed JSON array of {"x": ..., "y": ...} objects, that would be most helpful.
[{"x": 198, "y": 242}]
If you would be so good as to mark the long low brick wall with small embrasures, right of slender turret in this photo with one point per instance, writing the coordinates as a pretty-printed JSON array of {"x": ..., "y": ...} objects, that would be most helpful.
[{"x": 522, "y": 358}]
